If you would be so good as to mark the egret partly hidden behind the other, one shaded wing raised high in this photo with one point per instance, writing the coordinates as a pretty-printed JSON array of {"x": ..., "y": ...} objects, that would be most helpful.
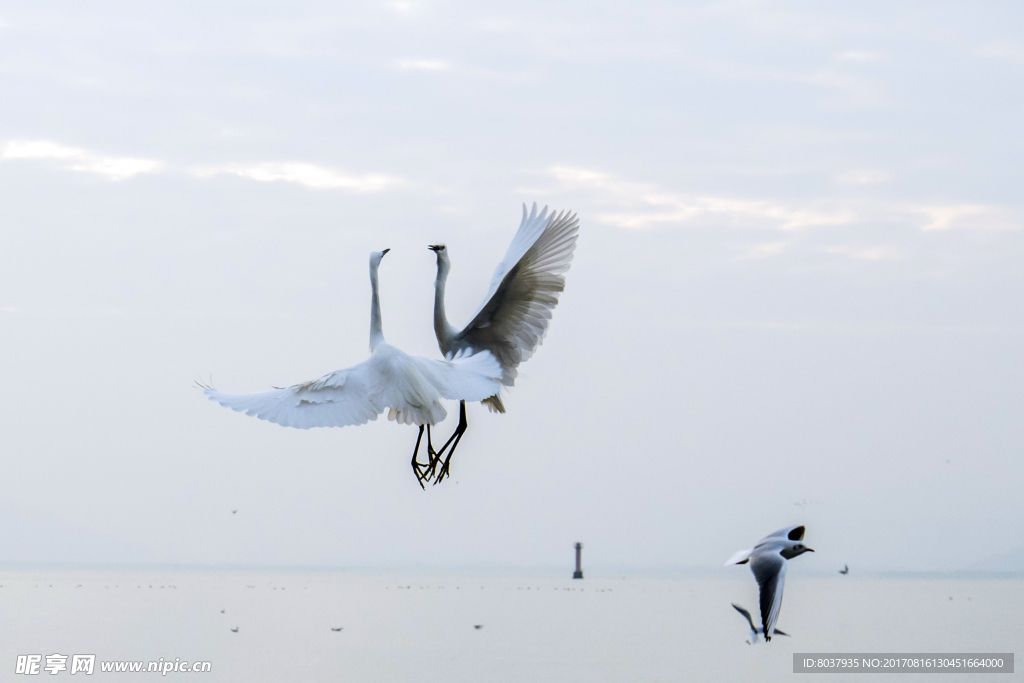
[{"x": 514, "y": 319}]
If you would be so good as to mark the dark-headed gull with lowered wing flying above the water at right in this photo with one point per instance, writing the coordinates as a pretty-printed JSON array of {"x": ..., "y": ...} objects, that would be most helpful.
[{"x": 769, "y": 562}]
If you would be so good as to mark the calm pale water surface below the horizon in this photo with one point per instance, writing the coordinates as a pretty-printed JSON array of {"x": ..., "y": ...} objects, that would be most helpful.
[{"x": 408, "y": 628}]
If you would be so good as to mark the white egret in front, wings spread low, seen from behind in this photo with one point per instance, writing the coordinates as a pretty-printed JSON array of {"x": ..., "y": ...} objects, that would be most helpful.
[{"x": 409, "y": 388}]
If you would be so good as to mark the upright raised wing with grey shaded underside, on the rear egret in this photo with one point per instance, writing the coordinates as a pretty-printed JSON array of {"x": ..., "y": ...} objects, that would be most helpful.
[{"x": 515, "y": 317}]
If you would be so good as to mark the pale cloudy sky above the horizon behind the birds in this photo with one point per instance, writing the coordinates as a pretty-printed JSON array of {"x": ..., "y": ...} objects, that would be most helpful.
[{"x": 795, "y": 300}]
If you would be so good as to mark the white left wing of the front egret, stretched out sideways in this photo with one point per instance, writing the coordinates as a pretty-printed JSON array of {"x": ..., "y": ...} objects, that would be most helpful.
[{"x": 342, "y": 399}]
